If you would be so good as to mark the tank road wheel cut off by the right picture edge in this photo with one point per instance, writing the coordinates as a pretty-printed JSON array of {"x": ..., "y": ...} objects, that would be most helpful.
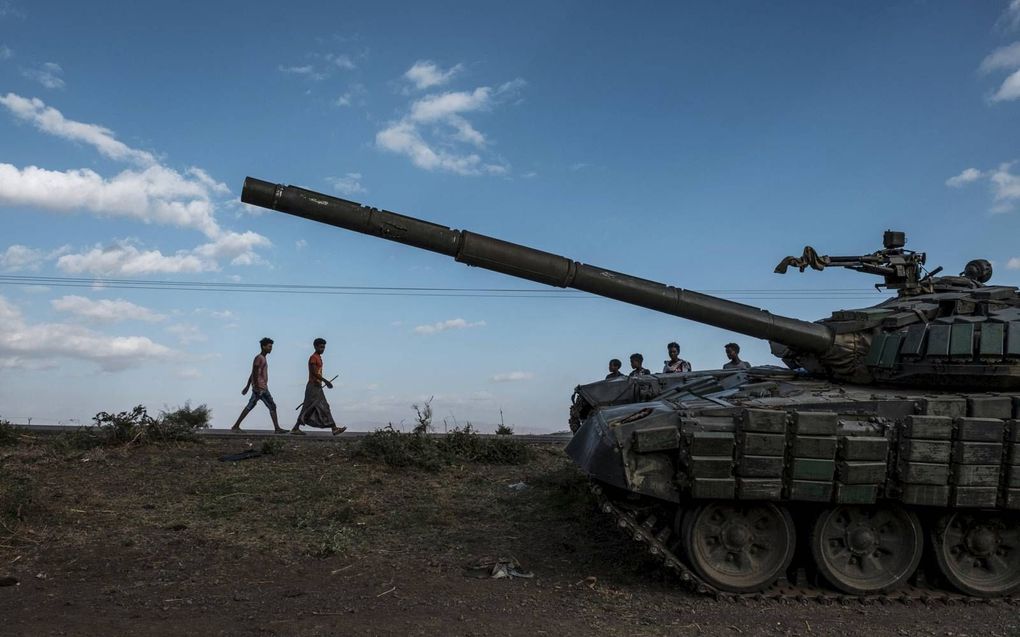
[{"x": 980, "y": 553}]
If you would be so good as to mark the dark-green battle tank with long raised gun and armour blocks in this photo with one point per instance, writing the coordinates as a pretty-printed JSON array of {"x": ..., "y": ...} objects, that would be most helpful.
[{"x": 882, "y": 461}]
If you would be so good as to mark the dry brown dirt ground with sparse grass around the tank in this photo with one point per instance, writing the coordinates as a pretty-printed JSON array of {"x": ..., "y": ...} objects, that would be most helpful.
[{"x": 317, "y": 541}]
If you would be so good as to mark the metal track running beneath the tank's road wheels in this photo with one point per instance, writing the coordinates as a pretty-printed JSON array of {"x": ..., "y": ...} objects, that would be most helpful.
[{"x": 651, "y": 534}]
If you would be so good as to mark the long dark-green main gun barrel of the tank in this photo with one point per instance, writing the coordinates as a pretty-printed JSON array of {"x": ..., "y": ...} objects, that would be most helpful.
[{"x": 536, "y": 266}]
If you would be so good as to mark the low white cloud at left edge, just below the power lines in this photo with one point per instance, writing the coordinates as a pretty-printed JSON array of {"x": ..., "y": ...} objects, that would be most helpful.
[{"x": 24, "y": 345}]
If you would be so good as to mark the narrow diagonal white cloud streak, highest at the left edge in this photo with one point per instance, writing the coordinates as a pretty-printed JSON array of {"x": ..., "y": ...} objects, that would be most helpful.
[{"x": 49, "y": 120}]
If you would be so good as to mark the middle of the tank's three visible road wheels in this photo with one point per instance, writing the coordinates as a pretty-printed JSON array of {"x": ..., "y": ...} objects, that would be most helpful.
[{"x": 866, "y": 550}]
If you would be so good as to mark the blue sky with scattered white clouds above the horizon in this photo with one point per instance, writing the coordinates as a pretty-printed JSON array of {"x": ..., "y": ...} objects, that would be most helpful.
[{"x": 695, "y": 144}]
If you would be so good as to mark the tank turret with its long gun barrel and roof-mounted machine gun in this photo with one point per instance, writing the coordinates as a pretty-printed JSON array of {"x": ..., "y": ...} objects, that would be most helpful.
[{"x": 946, "y": 331}]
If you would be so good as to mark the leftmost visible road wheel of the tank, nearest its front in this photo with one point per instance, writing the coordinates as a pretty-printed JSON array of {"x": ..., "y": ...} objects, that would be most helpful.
[{"x": 739, "y": 547}]
